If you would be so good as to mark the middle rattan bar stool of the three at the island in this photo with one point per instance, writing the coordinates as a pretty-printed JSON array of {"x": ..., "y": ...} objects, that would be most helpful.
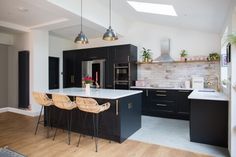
[{"x": 64, "y": 103}]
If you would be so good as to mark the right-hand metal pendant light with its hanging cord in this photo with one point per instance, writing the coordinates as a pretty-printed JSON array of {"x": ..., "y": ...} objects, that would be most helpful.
[{"x": 110, "y": 34}]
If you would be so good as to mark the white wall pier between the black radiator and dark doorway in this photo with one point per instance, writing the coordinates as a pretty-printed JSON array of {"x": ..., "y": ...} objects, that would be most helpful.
[{"x": 39, "y": 42}]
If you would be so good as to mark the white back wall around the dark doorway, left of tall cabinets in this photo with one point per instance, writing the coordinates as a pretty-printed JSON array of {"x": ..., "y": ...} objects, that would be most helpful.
[{"x": 56, "y": 46}]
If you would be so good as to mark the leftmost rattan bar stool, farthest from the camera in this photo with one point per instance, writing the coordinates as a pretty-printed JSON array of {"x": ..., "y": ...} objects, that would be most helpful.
[{"x": 43, "y": 100}]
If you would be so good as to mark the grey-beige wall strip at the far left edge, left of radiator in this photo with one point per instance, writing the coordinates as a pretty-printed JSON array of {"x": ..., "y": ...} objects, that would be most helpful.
[{"x": 3, "y": 75}]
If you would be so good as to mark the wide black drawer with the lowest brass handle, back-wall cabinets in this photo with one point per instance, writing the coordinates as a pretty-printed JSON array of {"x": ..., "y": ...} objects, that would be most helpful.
[{"x": 163, "y": 106}]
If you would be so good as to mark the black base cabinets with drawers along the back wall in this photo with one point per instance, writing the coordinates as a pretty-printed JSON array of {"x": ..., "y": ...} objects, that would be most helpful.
[{"x": 166, "y": 103}]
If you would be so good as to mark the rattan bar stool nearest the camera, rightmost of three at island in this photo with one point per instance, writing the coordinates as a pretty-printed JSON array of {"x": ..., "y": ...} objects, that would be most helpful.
[{"x": 90, "y": 105}]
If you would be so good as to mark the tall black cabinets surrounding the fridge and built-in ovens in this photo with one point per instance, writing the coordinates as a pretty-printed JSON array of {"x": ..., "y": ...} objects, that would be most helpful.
[{"x": 72, "y": 63}]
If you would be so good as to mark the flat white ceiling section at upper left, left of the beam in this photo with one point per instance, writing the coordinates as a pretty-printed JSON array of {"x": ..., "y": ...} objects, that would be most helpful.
[{"x": 44, "y": 15}]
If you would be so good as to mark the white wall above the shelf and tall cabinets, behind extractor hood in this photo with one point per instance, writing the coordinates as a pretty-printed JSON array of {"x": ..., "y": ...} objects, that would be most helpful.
[{"x": 149, "y": 36}]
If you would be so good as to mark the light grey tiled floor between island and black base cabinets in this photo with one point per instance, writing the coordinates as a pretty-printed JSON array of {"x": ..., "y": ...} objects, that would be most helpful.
[{"x": 173, "y": 133}]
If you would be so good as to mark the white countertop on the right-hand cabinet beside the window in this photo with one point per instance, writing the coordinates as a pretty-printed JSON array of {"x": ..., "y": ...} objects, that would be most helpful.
[{"x": 207, "y": 94}]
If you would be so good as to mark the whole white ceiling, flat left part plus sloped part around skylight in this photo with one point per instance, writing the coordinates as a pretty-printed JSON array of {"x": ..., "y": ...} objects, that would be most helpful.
[{"x": 205, "y": 15}]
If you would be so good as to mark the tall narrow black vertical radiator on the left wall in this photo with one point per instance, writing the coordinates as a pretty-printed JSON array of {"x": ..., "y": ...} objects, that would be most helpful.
[{"x": 23, "y": 81}]
